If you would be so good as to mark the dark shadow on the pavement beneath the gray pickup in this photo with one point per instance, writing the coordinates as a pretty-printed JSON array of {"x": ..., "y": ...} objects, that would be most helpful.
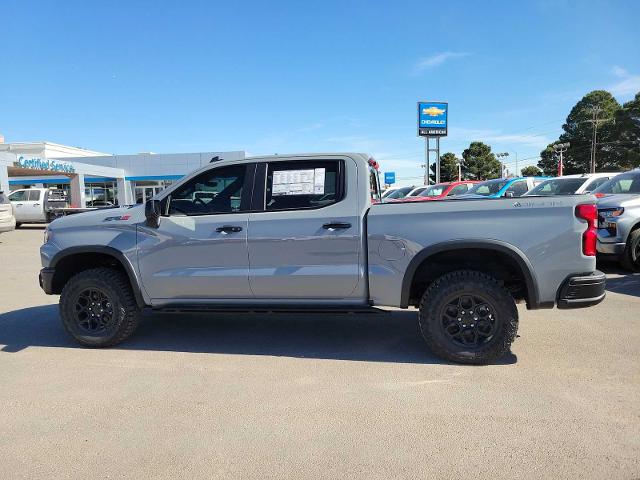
[{"x": 383, "y": 337}]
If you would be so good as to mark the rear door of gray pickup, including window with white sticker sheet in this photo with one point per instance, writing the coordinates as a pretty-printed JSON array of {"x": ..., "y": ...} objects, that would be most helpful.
[{"x": 304, "y": 231}]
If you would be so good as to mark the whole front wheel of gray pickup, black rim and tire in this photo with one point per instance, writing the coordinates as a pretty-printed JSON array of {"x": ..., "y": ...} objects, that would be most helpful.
[{"x": 98, "y": 309}]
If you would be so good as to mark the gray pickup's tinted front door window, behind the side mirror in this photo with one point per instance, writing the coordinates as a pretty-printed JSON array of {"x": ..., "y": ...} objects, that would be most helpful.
[{"x": 214, "y": 191}]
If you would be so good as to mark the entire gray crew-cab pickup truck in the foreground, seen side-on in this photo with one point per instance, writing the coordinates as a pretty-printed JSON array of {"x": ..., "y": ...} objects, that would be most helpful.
[{"x": 309, "y": 232}]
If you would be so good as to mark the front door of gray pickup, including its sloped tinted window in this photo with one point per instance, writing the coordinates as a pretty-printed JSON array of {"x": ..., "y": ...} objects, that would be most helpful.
[{"x": 200, "y": 249}]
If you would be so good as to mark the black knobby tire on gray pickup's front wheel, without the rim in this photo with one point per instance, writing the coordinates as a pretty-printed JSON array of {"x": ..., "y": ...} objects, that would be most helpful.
[{"x": 116, "y": 287}]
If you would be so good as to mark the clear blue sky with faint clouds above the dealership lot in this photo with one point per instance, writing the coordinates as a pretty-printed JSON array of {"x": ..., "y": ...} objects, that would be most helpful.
[{"x": 289, "y": 76}]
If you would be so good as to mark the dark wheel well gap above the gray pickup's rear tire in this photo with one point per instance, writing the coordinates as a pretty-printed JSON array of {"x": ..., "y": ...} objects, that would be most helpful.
[{"x": 500, "y": 265}]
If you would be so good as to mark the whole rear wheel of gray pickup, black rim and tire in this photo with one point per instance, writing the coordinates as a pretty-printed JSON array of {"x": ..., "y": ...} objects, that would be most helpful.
[{"x": 468, "y": 317}]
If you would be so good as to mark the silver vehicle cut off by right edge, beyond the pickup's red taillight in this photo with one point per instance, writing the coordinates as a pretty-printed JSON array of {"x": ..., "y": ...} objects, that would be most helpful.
[{"x": 619, "y": 219}]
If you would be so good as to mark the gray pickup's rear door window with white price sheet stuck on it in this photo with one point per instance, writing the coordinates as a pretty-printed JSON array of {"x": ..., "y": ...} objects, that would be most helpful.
[{"x": 300, "y": 185}]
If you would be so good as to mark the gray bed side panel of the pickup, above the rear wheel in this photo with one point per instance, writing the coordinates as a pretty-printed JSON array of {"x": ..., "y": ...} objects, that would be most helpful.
[{"x": 543, "y": 232}]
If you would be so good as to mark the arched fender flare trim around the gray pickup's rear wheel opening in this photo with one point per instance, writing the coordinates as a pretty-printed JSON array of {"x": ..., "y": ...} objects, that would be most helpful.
[{"x": 496, "y": 245}]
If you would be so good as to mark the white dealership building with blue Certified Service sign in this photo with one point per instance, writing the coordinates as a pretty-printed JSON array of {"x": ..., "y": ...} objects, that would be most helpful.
[{"x": 87, "y": 175}]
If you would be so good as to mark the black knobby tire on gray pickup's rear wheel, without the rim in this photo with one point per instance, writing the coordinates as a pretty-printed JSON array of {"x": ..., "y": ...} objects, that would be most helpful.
[{"x": 467, "y": 283}]
